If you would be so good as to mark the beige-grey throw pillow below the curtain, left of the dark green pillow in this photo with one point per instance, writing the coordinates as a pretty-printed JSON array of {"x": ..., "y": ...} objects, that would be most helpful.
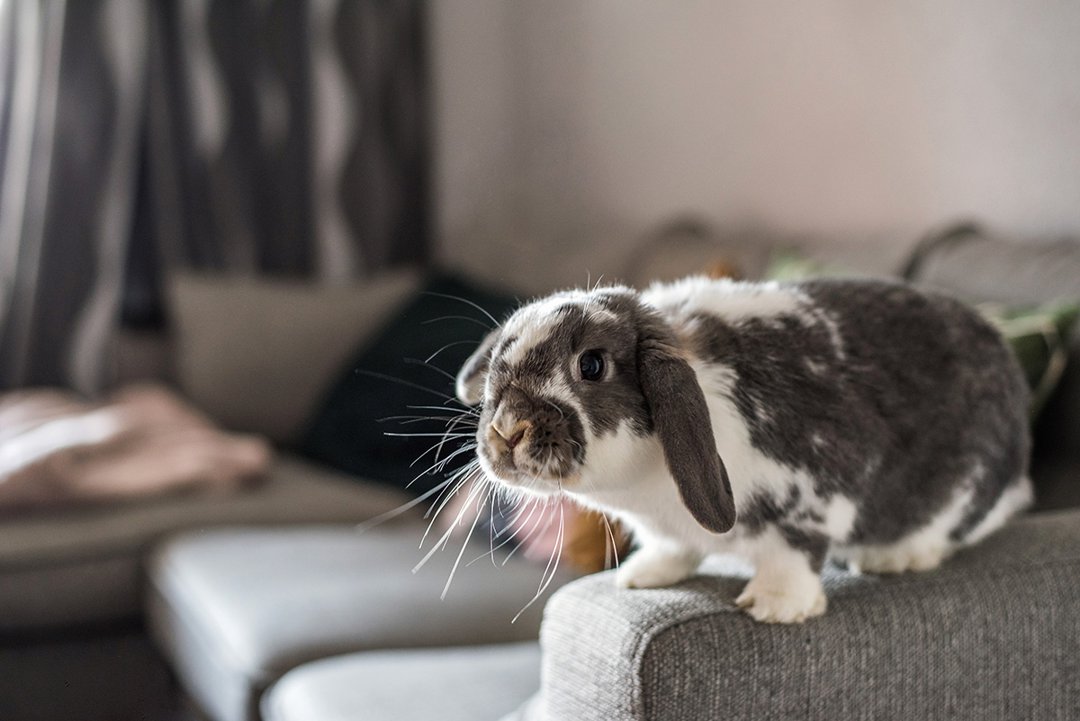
[{"x": 256, "y": 355}]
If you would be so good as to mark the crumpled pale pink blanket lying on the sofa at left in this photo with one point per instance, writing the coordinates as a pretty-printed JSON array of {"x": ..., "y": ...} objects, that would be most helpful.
[{"x": 57, "y": 450}]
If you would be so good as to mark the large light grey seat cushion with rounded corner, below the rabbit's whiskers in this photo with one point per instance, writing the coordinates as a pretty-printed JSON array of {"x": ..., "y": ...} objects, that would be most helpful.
[{"x": 234, "y": 610}]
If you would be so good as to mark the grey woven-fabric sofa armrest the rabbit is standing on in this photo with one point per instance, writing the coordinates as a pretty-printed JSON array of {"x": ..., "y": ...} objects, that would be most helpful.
[{"x": 995, "y": 633}]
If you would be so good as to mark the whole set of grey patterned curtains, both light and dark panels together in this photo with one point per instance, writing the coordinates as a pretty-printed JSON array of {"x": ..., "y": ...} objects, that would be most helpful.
[{"x": 249, "y": 137}]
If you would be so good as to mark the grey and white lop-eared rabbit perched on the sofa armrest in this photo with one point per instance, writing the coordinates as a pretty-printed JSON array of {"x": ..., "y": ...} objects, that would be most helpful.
[{"x": 789, "y": 424}]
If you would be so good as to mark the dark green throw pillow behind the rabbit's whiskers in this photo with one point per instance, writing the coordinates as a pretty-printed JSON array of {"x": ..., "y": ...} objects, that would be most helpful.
[{"x": 408, "y": 365}]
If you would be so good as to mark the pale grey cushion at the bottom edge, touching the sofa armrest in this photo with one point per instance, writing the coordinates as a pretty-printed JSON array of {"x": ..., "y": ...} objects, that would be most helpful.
[{"x": 479, "y": 684}]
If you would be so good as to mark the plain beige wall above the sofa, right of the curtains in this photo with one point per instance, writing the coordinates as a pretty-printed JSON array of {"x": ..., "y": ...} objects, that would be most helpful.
[{"x": 566, "y": 128}]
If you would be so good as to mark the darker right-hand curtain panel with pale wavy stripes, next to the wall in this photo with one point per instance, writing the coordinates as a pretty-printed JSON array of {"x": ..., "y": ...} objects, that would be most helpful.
[{"x": 289, "y": 137}]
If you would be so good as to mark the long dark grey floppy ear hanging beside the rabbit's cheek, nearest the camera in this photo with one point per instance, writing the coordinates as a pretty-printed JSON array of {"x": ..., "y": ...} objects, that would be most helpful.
[{"x": 681, "y": 419}]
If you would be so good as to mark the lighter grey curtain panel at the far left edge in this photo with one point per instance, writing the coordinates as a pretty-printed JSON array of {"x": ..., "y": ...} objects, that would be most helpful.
[{"x": 72, "y": 105}]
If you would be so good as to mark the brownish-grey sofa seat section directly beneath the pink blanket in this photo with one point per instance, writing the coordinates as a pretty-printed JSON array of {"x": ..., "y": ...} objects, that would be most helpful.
[{"x": 82, "y": 566}]
